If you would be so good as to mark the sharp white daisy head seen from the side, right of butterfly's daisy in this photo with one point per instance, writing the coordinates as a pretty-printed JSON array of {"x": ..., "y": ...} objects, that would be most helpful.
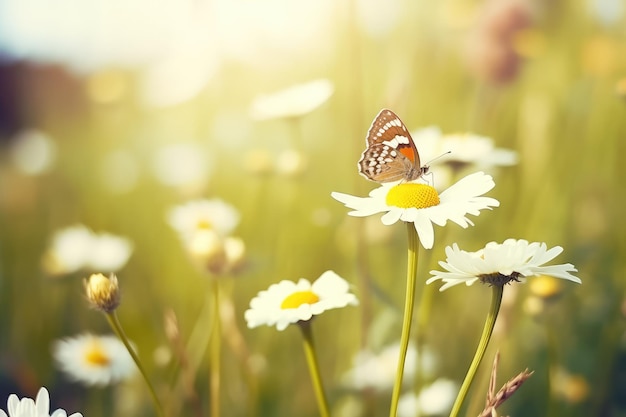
[{"x": 499, "y": 263}]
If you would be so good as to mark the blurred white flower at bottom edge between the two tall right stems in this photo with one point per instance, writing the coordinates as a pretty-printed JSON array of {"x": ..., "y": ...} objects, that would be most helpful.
[{"x": 435, "y": 399}]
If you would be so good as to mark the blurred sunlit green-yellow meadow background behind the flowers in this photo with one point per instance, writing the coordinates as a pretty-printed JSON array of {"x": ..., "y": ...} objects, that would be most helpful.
[{"x": 113, "y": 112}]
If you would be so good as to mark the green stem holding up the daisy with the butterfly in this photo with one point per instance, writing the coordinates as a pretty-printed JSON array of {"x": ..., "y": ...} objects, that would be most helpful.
[{"x": 411, "y": 277}]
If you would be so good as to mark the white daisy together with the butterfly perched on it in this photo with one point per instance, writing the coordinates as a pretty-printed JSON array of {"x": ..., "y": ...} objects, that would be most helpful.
[{"x": 391, "y": 159}]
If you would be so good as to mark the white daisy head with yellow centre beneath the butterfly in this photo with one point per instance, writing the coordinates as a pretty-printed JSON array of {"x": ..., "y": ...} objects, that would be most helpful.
[{"x": 421, "y": 205}]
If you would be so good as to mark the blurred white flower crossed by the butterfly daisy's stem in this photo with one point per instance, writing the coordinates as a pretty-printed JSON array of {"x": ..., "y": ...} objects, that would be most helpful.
[{"x": 378, "y": 370}]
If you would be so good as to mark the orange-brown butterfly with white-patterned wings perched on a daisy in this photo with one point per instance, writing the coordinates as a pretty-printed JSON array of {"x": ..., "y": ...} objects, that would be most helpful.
[{"x": 390, "y": 154}]
